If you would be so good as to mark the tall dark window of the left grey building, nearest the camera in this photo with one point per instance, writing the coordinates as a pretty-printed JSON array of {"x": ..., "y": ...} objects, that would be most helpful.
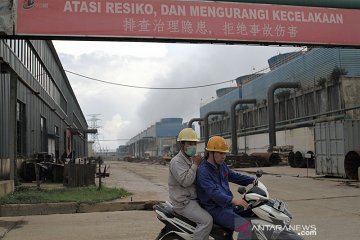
[{"x": 21, "y": 129}]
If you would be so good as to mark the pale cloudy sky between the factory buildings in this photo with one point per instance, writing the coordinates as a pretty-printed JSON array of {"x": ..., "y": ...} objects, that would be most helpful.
[{"x": 124, "y": 112}]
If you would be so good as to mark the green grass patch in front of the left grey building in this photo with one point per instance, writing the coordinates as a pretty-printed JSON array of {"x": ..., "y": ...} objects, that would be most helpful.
[{"x": 23, "y": 195}]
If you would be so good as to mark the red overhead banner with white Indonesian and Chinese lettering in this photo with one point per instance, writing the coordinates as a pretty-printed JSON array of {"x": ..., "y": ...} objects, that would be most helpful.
[{"x": 189, "y": 20}]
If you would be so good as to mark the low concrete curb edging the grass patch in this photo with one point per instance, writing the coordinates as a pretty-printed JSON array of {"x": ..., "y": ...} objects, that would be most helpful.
[{"x": 10, "y": 210}]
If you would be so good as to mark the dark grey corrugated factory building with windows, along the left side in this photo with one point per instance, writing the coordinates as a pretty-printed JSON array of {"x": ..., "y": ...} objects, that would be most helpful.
[{"x": 39, "y": 113}]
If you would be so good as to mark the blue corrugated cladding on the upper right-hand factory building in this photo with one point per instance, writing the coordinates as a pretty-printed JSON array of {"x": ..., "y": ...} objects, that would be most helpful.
[{"x": 307, "y": 69}]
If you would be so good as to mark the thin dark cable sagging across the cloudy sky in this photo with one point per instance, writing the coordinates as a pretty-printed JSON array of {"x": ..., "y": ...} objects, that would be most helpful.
[{"x": 149, "y": 88}]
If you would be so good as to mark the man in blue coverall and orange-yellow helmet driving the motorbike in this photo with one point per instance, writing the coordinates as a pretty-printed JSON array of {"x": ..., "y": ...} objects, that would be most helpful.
[{"x": 212, "y": 185}]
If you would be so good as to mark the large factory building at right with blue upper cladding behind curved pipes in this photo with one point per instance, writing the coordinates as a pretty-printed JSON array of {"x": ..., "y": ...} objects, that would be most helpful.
[{"x": 329, "y": 81}]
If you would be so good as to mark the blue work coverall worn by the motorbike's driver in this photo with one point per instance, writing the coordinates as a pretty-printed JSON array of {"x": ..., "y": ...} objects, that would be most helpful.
[{"x": 213, "y": 191}]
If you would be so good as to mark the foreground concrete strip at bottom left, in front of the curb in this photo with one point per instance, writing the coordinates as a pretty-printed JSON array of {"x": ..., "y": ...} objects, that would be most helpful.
[{"x": 137, "y": 225}]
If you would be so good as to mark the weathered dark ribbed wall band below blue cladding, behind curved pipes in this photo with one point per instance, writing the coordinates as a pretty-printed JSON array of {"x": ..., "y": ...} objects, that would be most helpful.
[{"x": 296, "y": 108}]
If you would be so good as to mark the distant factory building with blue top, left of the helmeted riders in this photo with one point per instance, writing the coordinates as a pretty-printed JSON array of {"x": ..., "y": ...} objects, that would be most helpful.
[{"x": 158, "y": 140}]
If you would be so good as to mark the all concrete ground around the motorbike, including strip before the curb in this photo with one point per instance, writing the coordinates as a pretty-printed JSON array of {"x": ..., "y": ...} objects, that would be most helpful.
[{"x": 332, "y": 205}]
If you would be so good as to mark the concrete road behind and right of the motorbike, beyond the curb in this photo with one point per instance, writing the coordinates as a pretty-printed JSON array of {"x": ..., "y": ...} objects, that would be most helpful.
[{"x": 331, "y": 205}]
